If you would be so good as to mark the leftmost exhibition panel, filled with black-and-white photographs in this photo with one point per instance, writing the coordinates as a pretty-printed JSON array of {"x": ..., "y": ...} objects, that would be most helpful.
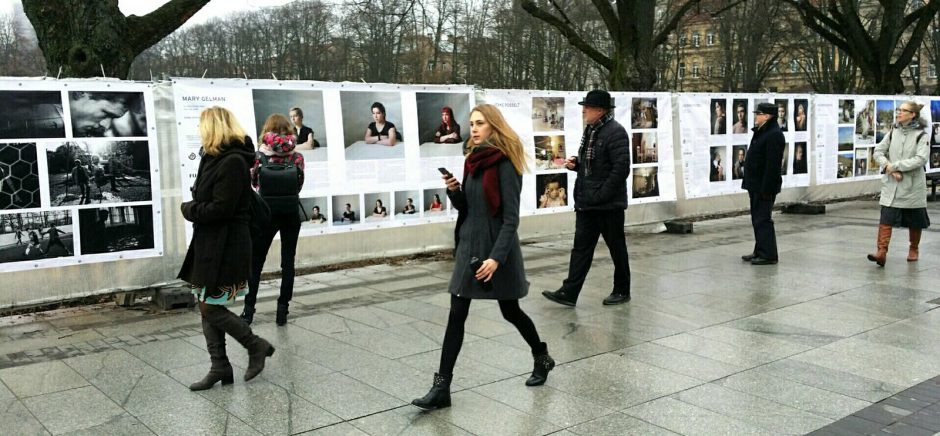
[{"x": 79, "y": 173}]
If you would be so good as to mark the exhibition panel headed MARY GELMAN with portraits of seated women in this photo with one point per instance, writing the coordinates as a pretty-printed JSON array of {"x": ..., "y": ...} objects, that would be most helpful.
[{"x": 351, "y": 182}]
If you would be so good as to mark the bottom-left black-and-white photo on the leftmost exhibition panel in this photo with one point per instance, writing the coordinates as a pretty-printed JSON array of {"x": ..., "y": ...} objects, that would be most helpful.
[{"x": 35, "y": 235}]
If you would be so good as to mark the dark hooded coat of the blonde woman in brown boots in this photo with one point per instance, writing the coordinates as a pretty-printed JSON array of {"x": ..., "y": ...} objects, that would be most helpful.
[{"x": 220, "y": 252}]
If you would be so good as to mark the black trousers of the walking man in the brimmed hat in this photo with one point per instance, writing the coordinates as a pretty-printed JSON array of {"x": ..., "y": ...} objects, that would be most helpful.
[{"x": 590, "y": 225}]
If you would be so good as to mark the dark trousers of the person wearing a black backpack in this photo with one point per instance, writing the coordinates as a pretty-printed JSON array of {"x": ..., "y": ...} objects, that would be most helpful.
[{"x": 289, "y": 226}]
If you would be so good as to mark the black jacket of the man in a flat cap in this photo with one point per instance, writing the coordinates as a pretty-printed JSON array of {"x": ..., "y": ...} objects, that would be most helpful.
[{"x": 763, "y": 160}]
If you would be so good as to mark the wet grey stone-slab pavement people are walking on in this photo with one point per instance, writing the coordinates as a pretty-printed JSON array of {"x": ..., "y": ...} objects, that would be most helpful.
[{"x": 709, "y": 345}]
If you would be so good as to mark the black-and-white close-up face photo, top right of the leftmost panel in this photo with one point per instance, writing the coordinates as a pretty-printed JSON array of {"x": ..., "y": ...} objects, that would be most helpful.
[{"x": 101, "y": 114}]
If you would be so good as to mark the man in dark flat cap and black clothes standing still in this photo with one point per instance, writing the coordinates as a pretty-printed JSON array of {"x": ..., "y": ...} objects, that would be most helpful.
[{"x": 762, "y": 181}]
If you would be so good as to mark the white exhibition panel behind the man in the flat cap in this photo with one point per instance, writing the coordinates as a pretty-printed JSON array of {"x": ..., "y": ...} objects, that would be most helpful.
[{"x": 715, "y": 131}]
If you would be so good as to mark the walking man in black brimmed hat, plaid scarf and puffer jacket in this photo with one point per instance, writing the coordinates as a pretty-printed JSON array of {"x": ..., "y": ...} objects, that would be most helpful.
[{"x": 600, "y": 200}]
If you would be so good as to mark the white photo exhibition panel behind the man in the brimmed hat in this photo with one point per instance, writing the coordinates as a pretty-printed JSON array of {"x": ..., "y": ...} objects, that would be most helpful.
[{"x": 550, "y": 126}]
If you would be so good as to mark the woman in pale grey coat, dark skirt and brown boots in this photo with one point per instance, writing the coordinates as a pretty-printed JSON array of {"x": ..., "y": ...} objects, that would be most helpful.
[{"x": 902, "y": 155}]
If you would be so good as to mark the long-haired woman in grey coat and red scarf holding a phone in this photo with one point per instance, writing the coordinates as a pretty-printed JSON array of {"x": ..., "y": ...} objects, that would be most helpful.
[{"x": 488, "y": 257}]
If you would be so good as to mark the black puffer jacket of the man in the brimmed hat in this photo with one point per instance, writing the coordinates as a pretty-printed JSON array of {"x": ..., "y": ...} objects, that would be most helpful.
[{"x": 606, "y": 187}]
